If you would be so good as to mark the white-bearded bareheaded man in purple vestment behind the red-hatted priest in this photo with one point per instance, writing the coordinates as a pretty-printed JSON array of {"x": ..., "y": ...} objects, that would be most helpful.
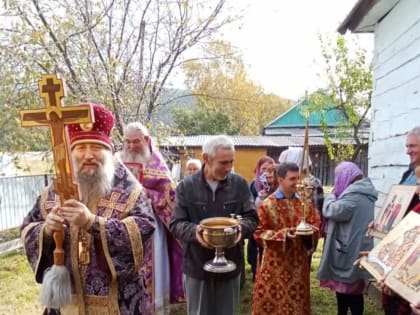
[{"x": 163, "y": 275}]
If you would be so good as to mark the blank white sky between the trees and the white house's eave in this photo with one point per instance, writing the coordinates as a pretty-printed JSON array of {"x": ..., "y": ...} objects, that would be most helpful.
[{"x": 279, "y": 42}]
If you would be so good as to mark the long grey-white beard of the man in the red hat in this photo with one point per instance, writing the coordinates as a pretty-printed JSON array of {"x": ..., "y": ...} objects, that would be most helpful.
[{"x": 96, "y": 183}]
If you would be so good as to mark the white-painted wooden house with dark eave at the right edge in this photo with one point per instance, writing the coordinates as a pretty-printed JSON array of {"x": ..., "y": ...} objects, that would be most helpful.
[{"x": 395, "y": 25}]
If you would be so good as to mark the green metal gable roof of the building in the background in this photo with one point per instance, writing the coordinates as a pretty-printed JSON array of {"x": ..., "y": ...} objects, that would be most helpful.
[{"x": 295, "y": 117}]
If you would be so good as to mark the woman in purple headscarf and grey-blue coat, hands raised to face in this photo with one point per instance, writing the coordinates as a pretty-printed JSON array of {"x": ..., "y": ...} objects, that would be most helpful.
[{"x": 349, "y": 209}]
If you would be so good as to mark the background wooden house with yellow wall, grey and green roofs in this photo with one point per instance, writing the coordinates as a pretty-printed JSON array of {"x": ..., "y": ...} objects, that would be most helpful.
[{"x": 287, "y": 130}]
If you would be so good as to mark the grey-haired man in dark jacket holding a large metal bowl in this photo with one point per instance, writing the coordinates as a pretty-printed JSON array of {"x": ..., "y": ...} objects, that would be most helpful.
[{"x": 212, "y": 192}]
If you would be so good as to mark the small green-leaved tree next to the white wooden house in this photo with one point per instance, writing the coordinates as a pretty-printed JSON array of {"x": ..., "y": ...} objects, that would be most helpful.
[{"x": 349, "y": 90}]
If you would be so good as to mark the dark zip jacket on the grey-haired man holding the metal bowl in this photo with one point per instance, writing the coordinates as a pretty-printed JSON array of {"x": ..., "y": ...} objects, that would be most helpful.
[{"x": 195, "y": 201}]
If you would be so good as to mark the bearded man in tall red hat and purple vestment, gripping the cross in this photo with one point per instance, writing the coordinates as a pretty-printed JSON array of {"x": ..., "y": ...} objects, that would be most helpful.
[{"x": 106, "y": 232}]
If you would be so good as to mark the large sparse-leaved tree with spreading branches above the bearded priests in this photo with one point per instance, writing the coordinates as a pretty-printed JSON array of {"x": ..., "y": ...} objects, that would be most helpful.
[{"x": 120, "y": 53}]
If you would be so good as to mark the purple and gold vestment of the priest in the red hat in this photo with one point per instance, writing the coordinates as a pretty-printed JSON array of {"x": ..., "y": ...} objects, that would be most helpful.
[{"x": 111, "y": 281}]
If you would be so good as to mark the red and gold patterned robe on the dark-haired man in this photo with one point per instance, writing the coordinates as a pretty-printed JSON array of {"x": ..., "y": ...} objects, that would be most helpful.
[{"x": 282, "y": 279}]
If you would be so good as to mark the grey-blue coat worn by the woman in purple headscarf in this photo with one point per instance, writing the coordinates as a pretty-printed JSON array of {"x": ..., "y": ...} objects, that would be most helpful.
[{"x": 348, "y": 218}]
